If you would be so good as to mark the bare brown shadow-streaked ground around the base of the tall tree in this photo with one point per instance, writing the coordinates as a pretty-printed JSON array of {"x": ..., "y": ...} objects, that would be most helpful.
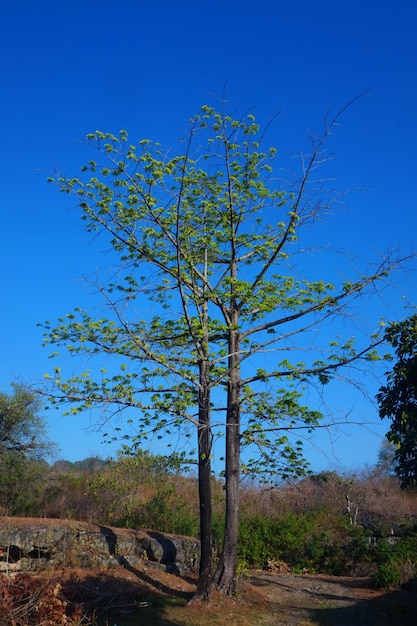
[{"x": 265, "y": 599}]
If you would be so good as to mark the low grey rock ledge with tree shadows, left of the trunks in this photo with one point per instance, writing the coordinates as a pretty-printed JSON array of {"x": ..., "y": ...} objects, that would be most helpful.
[{"x": 29, "y": 544}]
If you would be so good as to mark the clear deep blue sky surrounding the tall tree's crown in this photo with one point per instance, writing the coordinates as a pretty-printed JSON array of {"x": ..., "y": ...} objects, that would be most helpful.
[{"x": 71, "y": 68}]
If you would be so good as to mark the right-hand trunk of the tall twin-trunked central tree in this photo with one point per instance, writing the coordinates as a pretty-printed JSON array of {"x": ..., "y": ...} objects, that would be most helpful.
[{"x": 225, "y": 577}]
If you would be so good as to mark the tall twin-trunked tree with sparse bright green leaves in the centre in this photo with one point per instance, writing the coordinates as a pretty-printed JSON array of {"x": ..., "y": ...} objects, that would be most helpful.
[{"x": 207, "y": 243}]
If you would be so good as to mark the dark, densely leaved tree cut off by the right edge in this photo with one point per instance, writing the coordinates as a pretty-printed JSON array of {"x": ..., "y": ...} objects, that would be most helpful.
[{"x": 398, "y": 399}]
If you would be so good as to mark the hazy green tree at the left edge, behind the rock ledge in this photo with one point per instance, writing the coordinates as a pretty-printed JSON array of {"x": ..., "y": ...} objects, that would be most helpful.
[{"x": 23, "y": 444}]
